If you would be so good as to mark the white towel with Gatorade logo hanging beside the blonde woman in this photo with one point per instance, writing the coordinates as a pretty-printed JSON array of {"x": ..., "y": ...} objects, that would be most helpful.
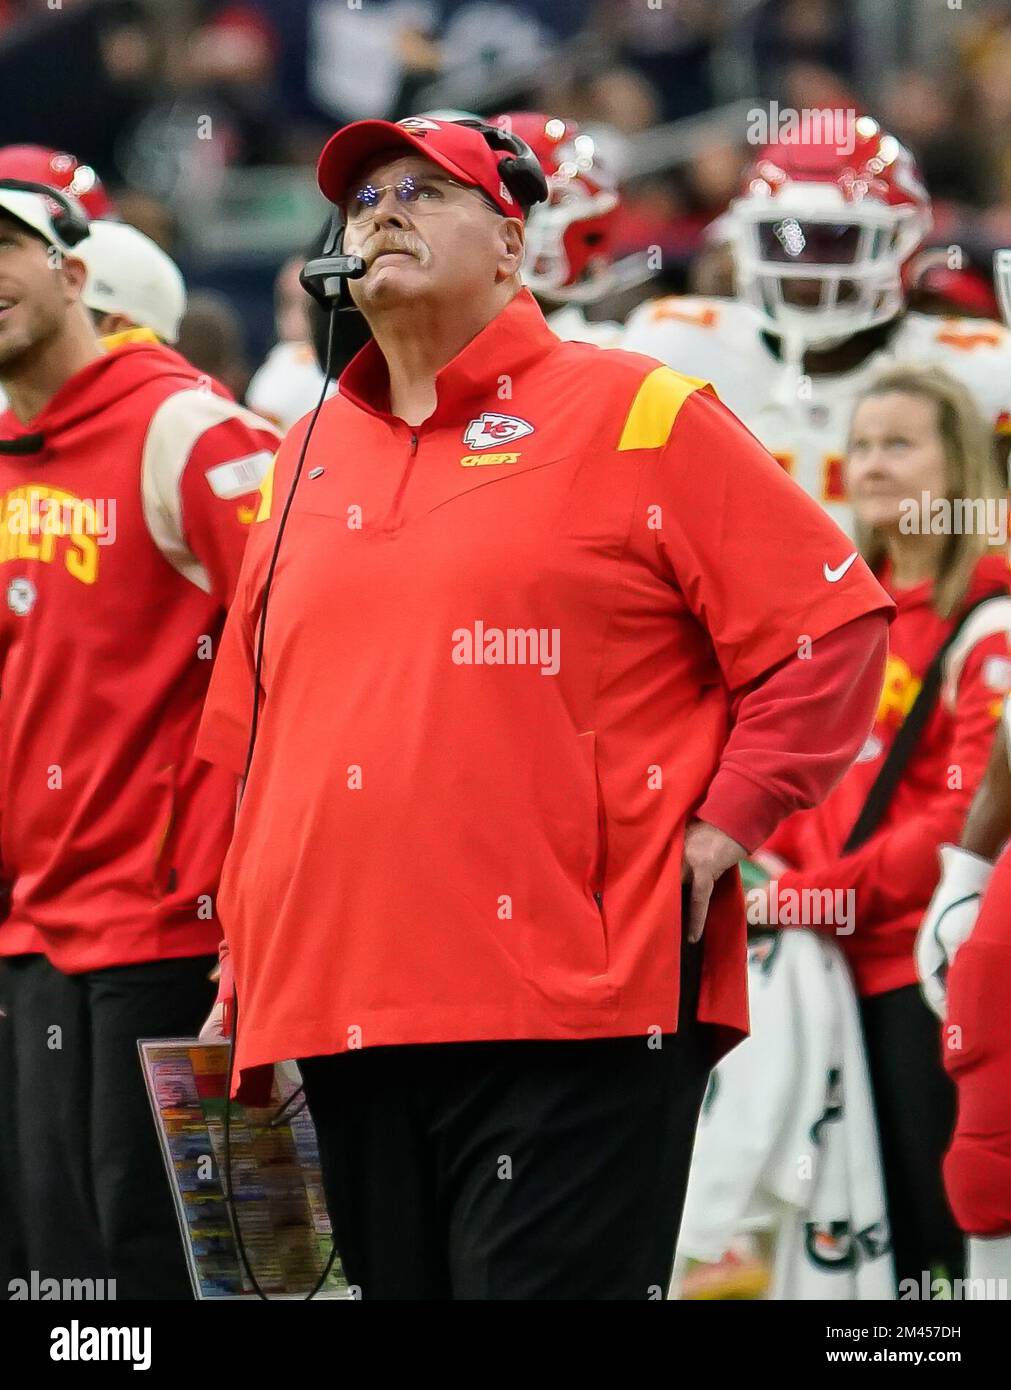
[{"x": 786, "y": 1142}]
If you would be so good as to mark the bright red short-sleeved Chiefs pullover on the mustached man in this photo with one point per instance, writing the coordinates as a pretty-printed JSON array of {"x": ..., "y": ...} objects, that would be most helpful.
[{"x": 439, "y": 843}]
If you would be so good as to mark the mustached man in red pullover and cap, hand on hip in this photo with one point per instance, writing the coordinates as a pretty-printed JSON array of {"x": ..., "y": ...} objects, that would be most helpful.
[{"x": 529, "y": 693}]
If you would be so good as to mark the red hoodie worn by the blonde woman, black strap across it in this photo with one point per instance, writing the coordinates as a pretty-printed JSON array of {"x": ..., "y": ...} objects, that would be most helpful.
[{"x": 895, "y": 872}]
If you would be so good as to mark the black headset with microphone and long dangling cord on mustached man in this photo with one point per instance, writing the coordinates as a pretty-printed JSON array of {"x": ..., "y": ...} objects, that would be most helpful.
[{"x": 326, "y": 279}]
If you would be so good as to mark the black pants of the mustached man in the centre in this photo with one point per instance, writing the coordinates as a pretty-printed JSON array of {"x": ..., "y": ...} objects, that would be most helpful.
[{"x": 515, "y": 1170}]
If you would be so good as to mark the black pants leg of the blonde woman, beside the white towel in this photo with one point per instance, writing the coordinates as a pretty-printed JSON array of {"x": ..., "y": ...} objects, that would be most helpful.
[{"x": 916, "y": 1110}]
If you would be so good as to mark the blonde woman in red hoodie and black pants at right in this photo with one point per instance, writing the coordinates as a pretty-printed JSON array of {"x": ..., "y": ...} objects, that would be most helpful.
[{"x": 930, "y": 507}]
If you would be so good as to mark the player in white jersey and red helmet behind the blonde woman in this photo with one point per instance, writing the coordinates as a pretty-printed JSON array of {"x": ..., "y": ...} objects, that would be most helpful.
[{"x": 821, "y": 245}]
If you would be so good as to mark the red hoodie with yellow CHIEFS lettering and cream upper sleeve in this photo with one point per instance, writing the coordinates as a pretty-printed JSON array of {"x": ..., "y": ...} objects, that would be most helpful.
[{"x": 124, "y": 508}]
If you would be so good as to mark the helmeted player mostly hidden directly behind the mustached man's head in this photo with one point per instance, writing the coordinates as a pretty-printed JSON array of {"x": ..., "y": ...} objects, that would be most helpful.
[{"x": 569, "y": 259}]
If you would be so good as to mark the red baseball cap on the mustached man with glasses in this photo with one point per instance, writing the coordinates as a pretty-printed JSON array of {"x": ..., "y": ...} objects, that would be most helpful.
[{"x": 458, "y": 149}]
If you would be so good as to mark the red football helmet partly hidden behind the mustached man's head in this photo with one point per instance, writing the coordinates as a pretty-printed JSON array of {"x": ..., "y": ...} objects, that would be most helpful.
[{"x": 569, "y": 238}]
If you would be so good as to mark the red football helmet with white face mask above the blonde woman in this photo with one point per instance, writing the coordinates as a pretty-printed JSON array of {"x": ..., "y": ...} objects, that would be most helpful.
[{"x": 824, "y": 230}]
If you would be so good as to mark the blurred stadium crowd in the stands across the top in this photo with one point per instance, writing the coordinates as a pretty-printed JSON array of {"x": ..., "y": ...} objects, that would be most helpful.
[{"x": 204, "y": 117}]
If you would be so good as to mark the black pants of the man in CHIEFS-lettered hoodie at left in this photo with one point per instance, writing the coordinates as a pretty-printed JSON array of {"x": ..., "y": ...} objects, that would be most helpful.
[{"x": 92, "y": 1186}]
